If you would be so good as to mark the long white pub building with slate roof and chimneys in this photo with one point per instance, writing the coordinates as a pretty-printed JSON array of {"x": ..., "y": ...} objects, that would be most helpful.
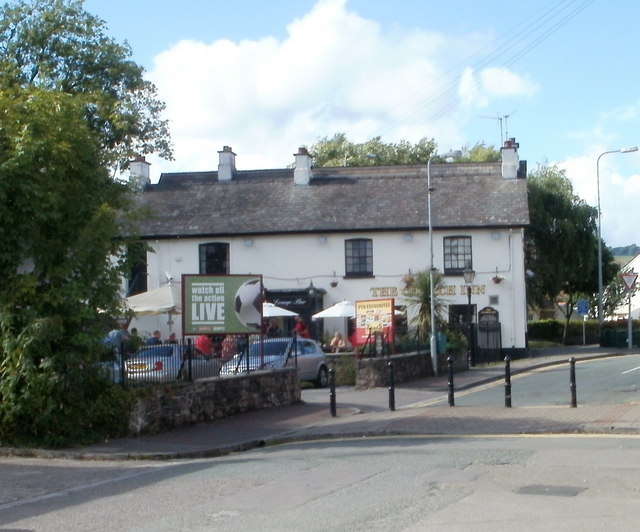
[{"x": 322, "y": 235}]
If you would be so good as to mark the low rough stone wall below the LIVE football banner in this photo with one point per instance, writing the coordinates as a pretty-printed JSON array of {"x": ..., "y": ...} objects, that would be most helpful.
[{"x": 162, "y": 408}]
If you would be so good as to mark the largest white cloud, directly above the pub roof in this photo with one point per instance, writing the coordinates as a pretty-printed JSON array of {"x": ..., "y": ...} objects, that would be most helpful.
[{"x": 335, "y": 71}]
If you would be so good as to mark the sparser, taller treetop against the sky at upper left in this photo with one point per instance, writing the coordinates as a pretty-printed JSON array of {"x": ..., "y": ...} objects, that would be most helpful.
[{"x": 56, "y": 45}]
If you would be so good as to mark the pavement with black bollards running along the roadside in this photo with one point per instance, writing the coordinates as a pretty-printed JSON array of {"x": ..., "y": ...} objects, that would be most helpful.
[{"x": 421, "y": 408}]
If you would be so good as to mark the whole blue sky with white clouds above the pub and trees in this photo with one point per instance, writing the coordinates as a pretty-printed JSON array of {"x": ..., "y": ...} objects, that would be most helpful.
[{"x": 265, "y": 78}]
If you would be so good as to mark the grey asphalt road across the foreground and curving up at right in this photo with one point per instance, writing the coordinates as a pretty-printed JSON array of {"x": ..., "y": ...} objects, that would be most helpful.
[{"x": 461, "y": 482}]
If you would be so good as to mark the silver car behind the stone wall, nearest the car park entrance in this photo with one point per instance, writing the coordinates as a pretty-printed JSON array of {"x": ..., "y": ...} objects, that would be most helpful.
[{"x": 307, "y": 355}]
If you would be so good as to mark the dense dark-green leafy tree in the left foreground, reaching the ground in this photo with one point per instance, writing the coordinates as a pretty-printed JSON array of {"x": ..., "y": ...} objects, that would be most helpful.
[{"x": 59, "y": 227}]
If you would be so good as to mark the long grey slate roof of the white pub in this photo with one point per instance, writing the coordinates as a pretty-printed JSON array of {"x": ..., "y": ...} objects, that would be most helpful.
[{"x": 350, "y": 199}]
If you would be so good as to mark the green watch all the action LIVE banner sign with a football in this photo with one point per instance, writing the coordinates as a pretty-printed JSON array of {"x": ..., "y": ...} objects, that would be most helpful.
[{"x": 221, "y": 304}]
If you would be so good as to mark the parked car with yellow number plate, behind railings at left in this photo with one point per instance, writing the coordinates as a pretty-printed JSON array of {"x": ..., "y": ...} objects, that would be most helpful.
[{"x": 168, "y": 362}]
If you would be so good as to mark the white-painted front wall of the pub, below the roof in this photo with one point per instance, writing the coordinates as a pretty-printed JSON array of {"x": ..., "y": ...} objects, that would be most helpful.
[{"x": 294, "y": 261}]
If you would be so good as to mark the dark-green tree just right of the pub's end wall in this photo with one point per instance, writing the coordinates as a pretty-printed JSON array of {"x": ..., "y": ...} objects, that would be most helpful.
[{"x": 561, "y": 243}]
